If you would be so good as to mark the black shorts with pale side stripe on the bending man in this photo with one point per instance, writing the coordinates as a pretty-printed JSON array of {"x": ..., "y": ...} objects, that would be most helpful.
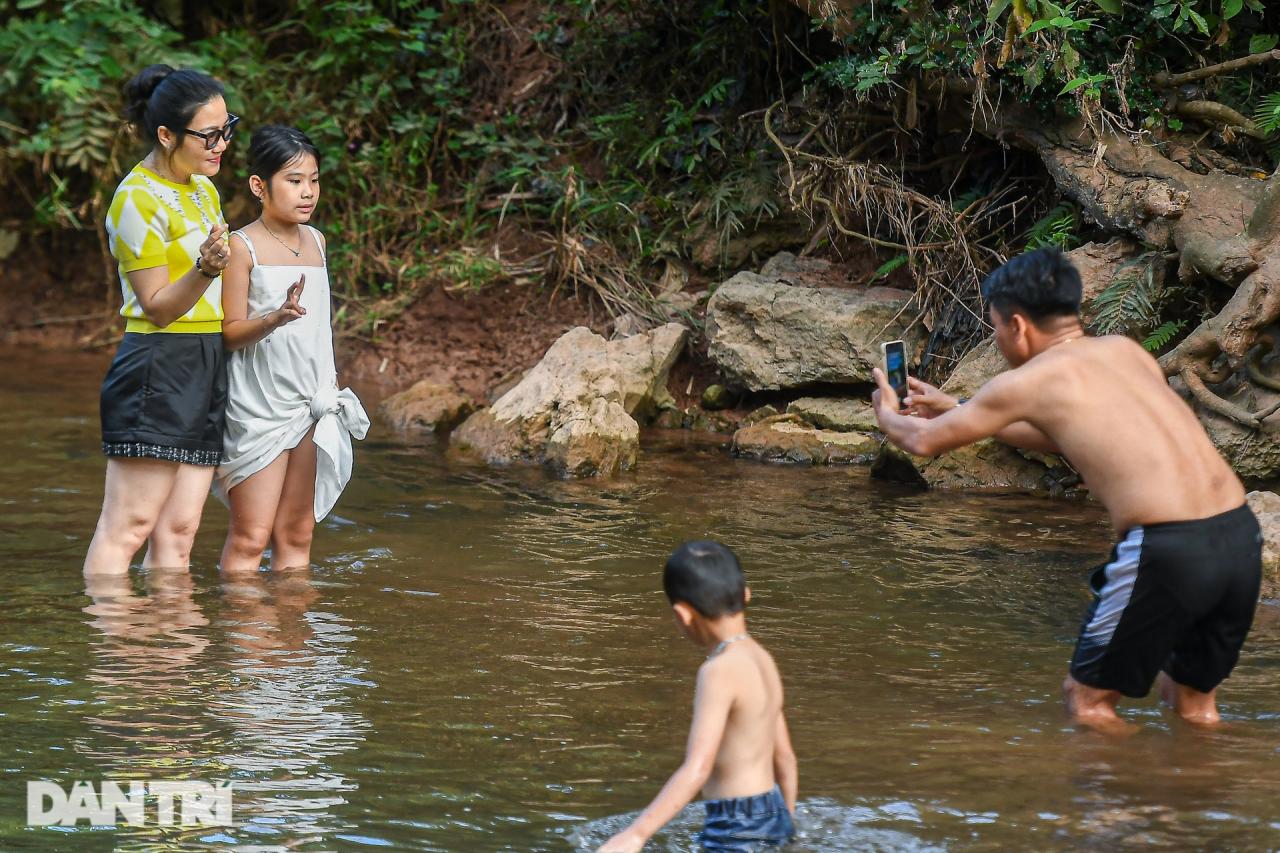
[{"x": 1177, "y": 597}]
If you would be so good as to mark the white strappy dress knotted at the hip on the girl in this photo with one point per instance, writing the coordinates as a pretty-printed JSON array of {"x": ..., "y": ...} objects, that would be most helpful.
[{"x": 282, "y": 386}]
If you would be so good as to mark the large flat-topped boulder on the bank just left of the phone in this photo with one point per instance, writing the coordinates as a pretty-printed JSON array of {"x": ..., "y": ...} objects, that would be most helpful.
[{"x": 769, "y": 335}]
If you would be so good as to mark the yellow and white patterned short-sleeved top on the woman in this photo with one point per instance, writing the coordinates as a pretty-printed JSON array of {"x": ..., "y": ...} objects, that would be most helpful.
[{"x": 159, "y": 223}]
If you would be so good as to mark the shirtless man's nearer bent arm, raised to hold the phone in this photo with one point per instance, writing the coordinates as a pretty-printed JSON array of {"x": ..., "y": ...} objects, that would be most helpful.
[{"x": 998, "y": 405}]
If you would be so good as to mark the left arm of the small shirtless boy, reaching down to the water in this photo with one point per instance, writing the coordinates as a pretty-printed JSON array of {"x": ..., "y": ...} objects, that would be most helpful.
[{"x": 712, "y": 704}]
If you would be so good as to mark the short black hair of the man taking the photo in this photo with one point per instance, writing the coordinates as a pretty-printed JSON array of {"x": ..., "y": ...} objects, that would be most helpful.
[{"x": 1041, "y": 285}]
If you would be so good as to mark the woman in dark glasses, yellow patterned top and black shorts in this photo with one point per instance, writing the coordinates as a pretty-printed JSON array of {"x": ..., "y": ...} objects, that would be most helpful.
[{"x": 164, "y": 396}]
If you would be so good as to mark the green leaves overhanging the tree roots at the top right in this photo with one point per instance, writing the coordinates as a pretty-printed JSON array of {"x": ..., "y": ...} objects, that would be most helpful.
[{"x": 1096, "y": 60}]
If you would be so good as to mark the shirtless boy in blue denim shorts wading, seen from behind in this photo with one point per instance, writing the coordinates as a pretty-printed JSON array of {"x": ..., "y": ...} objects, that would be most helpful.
[{"x": 739, "y": 752}]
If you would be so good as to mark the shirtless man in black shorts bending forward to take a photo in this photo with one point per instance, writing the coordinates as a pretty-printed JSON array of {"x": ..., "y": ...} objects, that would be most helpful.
[{"x": 1178, "y": 595}]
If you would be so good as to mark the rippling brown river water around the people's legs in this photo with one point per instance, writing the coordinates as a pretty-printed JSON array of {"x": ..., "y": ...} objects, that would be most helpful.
[{"x": 483, "y": 660}]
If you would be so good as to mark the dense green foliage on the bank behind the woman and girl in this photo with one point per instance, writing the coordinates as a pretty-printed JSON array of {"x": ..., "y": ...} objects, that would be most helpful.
[{"x": 429, "y": 138}]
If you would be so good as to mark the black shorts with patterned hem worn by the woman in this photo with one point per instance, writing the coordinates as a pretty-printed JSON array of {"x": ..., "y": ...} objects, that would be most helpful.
[{"x": 166, "y": 398}]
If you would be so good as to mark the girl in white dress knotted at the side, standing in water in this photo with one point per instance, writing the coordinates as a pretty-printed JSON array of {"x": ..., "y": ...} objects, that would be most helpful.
[{"x": 287, "y": 448}]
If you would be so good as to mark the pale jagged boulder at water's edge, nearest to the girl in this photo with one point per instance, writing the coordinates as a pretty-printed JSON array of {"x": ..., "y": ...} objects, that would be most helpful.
[{"x": 577, "y": 410}]
